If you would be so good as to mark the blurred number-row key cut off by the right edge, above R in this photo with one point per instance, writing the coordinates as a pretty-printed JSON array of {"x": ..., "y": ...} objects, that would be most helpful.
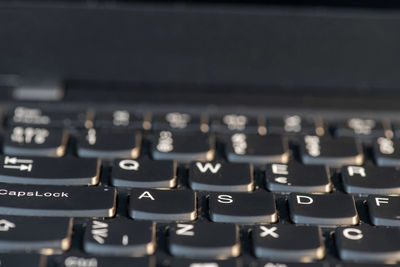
[{"x": 387, "y": 152}]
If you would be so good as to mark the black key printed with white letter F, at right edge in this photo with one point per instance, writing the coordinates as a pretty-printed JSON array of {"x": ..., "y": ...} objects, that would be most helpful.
[{"x": 384, "y": 210}]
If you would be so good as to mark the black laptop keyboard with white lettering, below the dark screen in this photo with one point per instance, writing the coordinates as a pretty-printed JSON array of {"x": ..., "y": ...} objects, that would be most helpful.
[{"x": 95, "y": 187}]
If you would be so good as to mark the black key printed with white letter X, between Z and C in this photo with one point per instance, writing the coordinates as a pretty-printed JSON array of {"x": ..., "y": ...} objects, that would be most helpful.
[{"x": 288, "y": 243}]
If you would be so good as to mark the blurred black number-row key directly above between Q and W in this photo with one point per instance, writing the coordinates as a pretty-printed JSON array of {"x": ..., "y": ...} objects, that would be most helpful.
[{"x": 183, "y": 147}]
